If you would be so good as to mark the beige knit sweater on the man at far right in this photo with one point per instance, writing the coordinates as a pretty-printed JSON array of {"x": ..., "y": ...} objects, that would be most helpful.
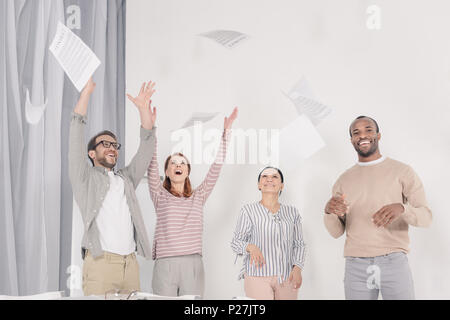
[{"x": 367, "y": 189}]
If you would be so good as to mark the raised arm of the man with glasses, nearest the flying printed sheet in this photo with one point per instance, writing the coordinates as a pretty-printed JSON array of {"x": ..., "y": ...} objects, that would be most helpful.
[{"x": 78, "y": 165}]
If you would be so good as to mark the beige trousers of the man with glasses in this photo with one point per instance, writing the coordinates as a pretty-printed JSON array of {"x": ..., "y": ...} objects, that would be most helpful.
[{"x": 110, "y": 273}]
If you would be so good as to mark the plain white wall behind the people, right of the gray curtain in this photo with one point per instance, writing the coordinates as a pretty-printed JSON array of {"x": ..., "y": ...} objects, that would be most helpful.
[{"x": 399, "y": 75}]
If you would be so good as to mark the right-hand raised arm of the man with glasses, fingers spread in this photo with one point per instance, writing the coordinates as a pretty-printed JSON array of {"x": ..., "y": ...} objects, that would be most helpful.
[{"x": 138, "y": 165}]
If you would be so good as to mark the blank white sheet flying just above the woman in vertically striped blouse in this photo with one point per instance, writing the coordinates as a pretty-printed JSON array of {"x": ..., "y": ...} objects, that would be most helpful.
[{"x": 299, "y": 140}]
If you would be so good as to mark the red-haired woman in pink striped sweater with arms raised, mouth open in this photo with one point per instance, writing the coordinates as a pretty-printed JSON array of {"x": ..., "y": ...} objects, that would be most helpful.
[{"x": 177, "y": 244}]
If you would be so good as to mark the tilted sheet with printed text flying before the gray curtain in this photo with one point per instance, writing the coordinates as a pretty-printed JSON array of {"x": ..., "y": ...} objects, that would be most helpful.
[{"x": 74, "y": 56}]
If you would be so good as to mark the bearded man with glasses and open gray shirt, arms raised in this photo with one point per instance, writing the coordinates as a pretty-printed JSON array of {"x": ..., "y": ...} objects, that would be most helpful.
[{"x": 113, "y": 225}]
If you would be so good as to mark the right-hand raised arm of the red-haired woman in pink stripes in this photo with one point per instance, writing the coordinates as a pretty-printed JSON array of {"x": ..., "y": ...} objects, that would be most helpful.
[{"x": 213, "y": 174}]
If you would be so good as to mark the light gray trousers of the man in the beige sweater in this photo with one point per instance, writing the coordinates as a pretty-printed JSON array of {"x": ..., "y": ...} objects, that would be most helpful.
[{"x": 390, "y": 274}]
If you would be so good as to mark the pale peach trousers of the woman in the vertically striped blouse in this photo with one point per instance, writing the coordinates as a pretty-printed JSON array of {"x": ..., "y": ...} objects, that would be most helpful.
[{"x": 268, "y": 288}]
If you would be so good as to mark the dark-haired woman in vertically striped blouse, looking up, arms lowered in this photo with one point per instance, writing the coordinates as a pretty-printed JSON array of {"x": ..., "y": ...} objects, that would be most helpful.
[{"x": 269, "y": 236}]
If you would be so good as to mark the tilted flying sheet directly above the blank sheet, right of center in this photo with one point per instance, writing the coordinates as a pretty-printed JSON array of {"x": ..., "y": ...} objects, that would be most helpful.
[{"x": 303, "y": 98}]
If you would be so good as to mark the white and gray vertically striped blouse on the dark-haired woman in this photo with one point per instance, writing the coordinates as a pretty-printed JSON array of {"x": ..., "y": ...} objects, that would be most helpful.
[{"x": 278, "y": 236}]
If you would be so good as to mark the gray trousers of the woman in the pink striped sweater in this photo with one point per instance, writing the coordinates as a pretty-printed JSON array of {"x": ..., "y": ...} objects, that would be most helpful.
[{"x": 179, "y": 276}]
